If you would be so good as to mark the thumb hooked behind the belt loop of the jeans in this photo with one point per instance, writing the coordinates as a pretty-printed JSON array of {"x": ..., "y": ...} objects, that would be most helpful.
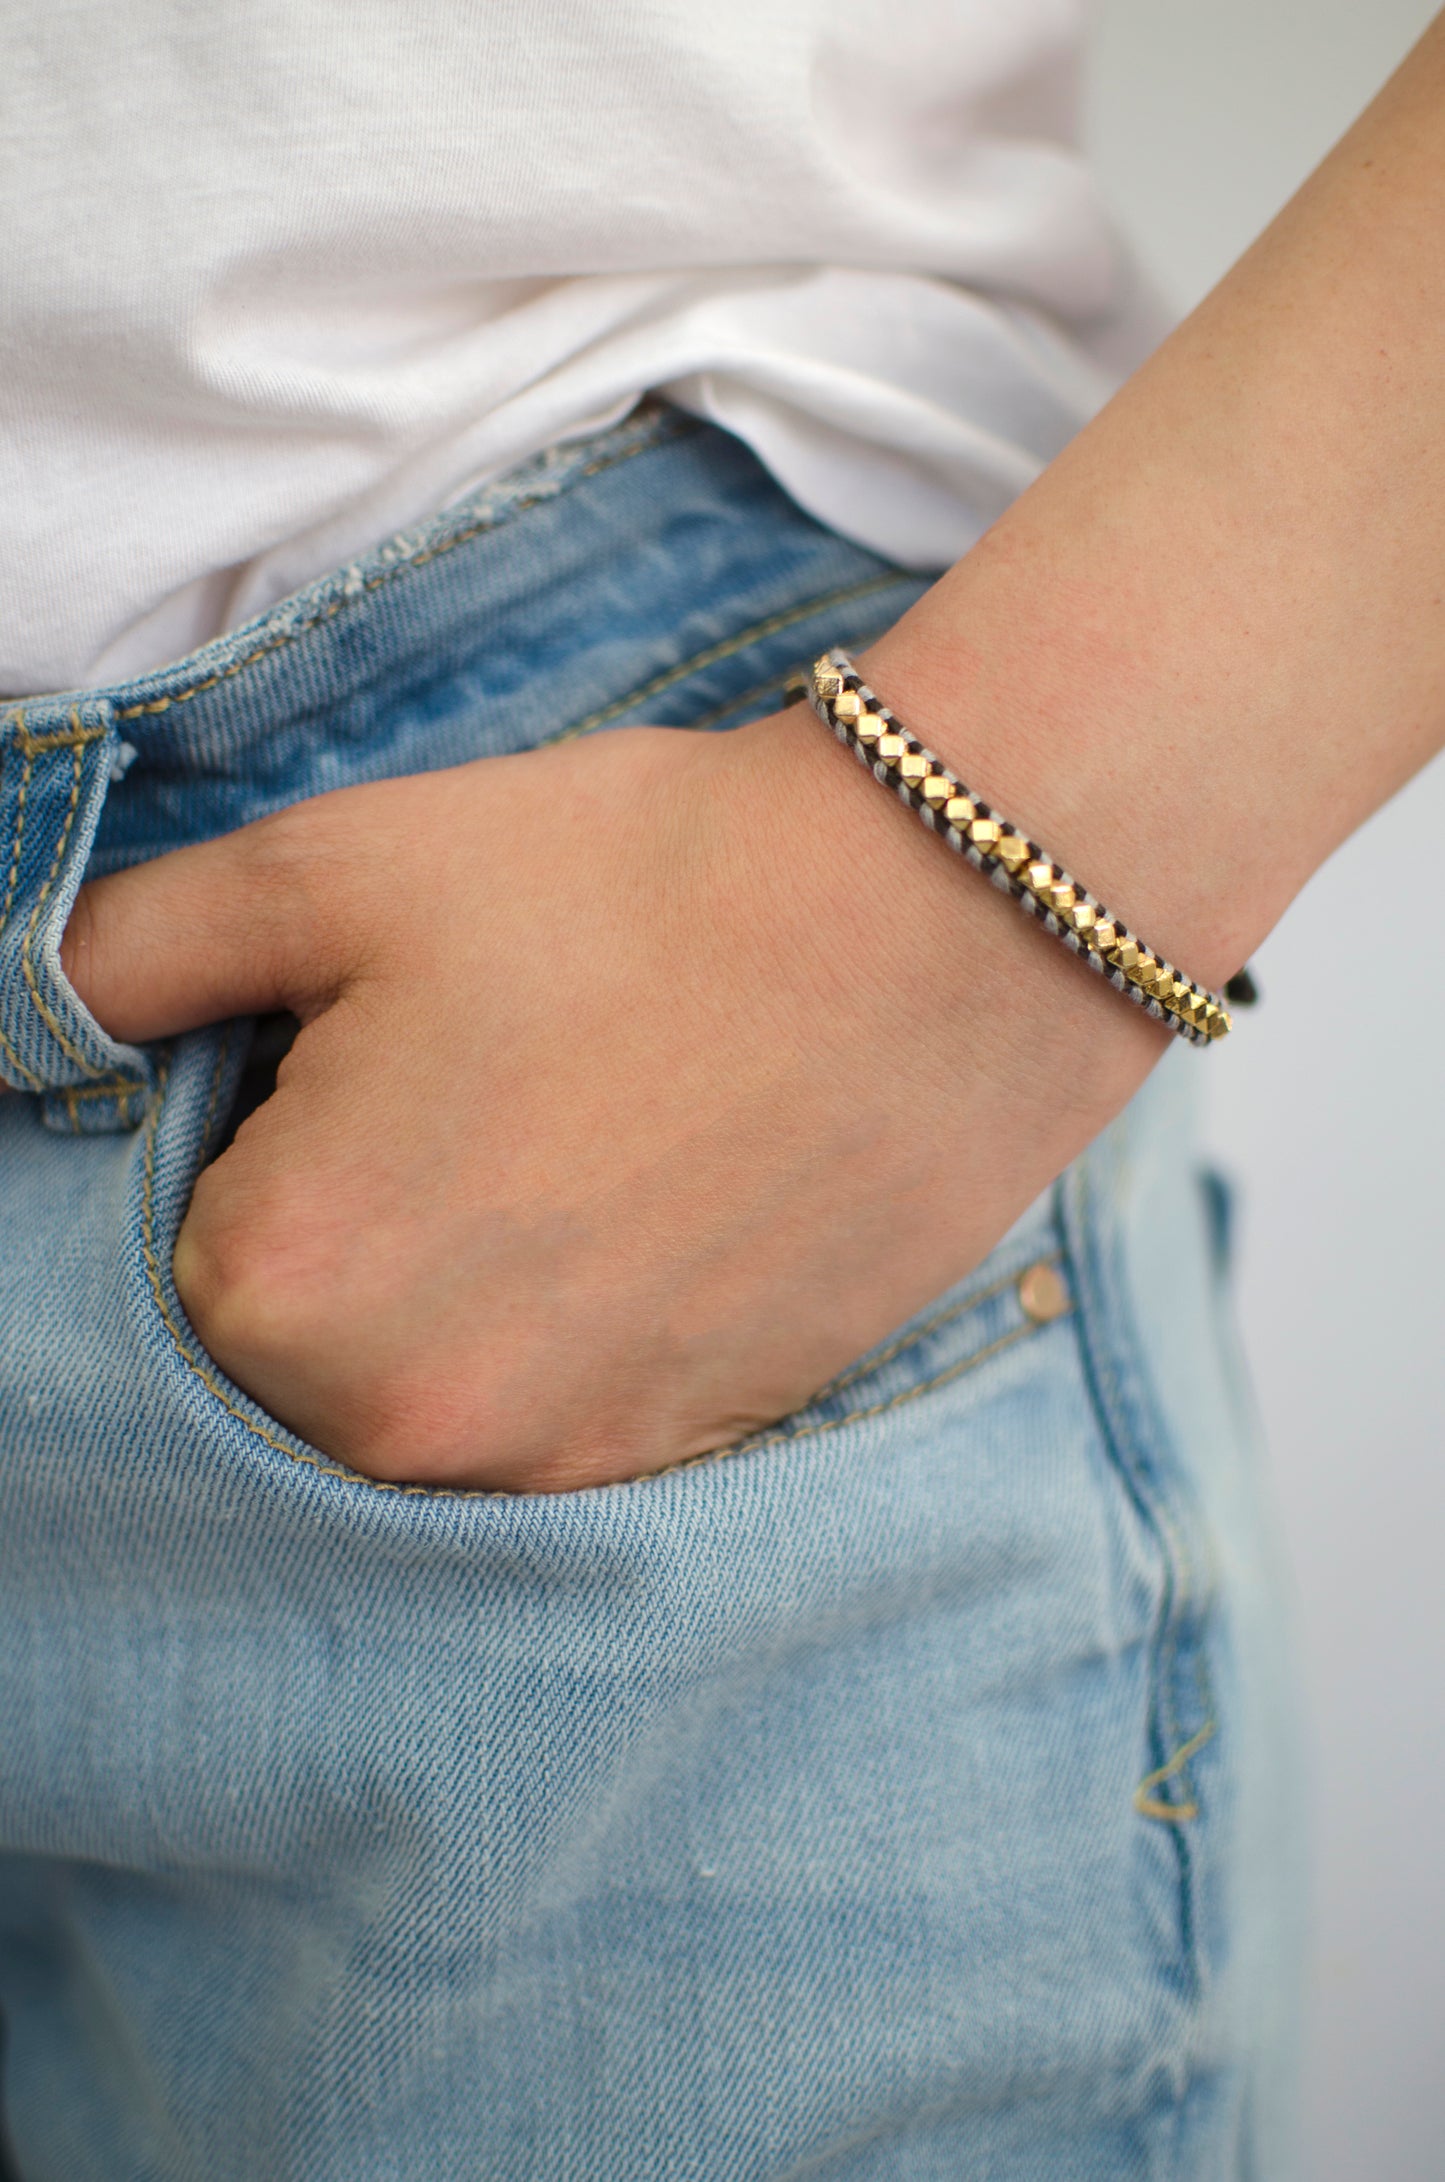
[{"x": 206, "y": 933}]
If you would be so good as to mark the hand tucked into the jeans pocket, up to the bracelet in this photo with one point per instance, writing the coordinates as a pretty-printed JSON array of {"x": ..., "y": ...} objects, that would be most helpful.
[{"x": 643, "y": 1083}]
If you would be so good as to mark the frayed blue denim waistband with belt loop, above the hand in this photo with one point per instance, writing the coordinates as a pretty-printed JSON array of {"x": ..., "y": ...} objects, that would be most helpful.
[{"x": 652, "y": 573}]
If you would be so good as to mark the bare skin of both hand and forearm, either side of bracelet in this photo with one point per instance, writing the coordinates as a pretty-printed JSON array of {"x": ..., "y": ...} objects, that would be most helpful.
[{"x": 728, "y": 1083}]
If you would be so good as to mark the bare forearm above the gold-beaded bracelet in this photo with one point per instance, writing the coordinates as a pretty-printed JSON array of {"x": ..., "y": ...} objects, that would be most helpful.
[{"x": 1213, "y": 638}]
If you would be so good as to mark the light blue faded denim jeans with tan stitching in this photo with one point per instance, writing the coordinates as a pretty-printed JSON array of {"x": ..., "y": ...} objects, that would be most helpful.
[{"x": 907, "y": 1793}]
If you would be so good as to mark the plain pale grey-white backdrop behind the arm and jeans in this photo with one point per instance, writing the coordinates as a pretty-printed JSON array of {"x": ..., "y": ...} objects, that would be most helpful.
[{"x": 1328, "y": 1110}]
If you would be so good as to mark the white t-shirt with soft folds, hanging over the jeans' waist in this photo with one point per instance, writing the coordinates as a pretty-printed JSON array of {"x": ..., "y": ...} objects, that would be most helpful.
[{"x": 285, "y": 276}]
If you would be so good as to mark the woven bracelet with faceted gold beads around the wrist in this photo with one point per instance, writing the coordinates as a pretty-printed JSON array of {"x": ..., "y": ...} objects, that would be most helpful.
[{"x": 1016, "y": 865}]
